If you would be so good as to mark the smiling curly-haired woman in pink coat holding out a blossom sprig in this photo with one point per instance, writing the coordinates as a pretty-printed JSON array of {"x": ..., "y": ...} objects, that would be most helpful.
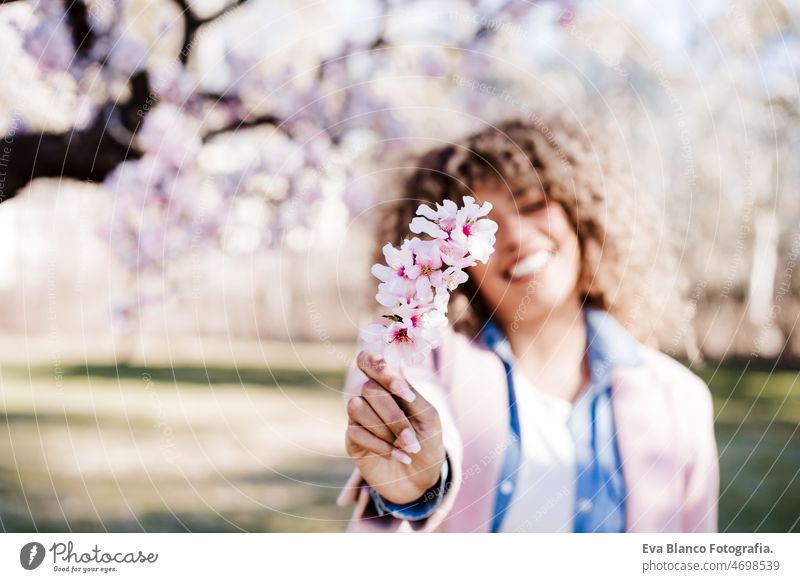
[{"x": 546, "y": 407}]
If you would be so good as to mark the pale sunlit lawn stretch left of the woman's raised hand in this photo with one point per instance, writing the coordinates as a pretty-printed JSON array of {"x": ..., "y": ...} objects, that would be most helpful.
[{"x": 172, "y": 449}]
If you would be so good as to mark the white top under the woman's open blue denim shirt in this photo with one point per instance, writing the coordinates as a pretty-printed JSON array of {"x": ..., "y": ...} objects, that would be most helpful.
[{"x": 544, "y": 496}]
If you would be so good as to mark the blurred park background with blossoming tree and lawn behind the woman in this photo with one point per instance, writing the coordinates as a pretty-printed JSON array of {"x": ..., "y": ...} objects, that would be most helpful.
[{"x": 185, "y": 228}]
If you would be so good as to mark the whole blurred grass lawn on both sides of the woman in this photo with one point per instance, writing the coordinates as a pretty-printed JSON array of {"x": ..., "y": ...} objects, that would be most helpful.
[{"x": 193, "y": 448}]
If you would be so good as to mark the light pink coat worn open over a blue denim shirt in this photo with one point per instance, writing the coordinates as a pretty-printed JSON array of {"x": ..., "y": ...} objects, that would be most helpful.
[{"x": 664, "y": 422}]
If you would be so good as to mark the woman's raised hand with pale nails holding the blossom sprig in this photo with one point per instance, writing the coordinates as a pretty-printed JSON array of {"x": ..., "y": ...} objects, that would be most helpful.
[{"x": 396, "y": 444}]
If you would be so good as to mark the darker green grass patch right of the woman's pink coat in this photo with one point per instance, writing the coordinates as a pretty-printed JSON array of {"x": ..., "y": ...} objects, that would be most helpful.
[{"x": 758, "y": 435}]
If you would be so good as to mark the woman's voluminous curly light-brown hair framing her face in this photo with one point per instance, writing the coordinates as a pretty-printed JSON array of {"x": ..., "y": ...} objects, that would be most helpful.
[{"x": 628, "y": 261}]
